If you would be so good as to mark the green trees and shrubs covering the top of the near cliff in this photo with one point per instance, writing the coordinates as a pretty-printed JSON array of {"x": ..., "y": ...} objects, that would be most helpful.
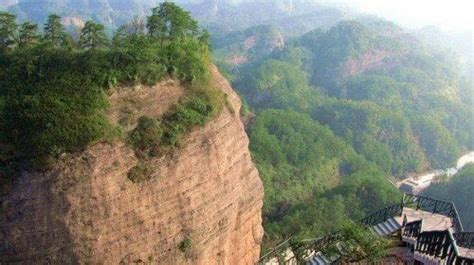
[{"x": 53, "y": 90}]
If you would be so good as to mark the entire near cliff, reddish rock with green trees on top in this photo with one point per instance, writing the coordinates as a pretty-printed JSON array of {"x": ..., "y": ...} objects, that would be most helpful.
[{"x": 128, "y": 150}]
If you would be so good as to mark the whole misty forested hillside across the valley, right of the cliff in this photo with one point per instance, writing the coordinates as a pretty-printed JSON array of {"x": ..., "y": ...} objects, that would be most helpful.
[{"x": 340, "y": 111}]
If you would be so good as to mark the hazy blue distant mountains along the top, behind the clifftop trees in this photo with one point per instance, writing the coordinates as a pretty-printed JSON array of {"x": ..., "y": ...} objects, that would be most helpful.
[{"x": 292, "y": 16}]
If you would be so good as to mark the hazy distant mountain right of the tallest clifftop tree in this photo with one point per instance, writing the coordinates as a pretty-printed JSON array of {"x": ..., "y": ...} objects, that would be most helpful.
[{"x": 291, "y": 16}]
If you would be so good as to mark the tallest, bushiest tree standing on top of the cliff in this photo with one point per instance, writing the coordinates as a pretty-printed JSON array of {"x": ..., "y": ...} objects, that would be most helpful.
[{"x": 171, "y": 21}]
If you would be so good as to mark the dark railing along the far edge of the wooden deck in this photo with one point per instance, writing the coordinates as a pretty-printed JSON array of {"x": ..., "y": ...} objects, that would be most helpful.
[{"x": 434, "y": 206}]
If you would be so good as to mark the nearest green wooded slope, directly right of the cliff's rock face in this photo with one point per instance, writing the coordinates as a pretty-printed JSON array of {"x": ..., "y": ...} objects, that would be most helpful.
[{"x": 313, "y": 180}]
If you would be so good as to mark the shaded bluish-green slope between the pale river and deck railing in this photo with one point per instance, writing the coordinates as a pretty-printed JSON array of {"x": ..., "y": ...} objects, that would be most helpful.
[{"x": 459, "y": 189}]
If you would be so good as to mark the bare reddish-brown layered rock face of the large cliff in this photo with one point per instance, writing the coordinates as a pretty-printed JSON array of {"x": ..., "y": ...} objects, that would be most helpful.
[{"x": 206, "y": 194}]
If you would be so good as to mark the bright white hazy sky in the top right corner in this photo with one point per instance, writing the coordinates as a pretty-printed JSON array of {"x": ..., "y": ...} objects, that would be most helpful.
[{"x": 447, "y": 14}]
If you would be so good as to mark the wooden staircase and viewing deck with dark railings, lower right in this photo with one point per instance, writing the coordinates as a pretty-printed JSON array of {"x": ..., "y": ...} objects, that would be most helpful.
[{"x": 430, "y": 228}]
